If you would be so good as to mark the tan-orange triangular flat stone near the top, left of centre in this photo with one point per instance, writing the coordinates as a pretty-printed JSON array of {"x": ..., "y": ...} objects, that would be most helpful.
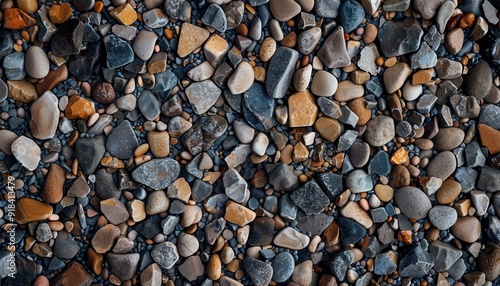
[{"x": 191, "y": 38}]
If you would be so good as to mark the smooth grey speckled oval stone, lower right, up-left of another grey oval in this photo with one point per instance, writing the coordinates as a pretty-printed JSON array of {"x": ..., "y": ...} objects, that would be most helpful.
[{"x": 413, "y": 202}]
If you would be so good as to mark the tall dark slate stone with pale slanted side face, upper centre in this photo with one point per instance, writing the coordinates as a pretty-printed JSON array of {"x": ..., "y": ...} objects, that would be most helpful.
[{"x": 280, "y": 71}]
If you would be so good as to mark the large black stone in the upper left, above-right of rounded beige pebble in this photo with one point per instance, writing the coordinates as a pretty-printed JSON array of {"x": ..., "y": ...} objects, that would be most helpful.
[{"x": 67, "y": 40}]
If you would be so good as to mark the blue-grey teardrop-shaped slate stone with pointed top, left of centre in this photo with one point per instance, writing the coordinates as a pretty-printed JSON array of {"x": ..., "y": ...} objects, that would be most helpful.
[{"x": 122, "y": 141}]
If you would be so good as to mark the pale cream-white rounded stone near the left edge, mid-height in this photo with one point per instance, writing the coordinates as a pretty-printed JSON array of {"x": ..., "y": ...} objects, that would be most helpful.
[{"x": 26, "y": 152}]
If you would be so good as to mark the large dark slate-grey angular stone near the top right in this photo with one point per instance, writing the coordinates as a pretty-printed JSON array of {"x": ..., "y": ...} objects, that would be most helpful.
[{"x": 400, "y": 37}]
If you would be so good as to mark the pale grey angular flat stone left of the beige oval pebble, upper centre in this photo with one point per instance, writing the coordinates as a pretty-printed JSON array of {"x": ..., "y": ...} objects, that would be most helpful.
[{"x": 202, "y": 95}]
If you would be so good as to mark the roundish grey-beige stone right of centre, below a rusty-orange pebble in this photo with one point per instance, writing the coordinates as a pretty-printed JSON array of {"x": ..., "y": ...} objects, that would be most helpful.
[{"x": 380, "y": 131}]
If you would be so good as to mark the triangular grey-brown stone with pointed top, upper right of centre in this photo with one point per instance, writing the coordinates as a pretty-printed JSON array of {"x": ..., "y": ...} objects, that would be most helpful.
[{"x": 333, "y": 52}]
